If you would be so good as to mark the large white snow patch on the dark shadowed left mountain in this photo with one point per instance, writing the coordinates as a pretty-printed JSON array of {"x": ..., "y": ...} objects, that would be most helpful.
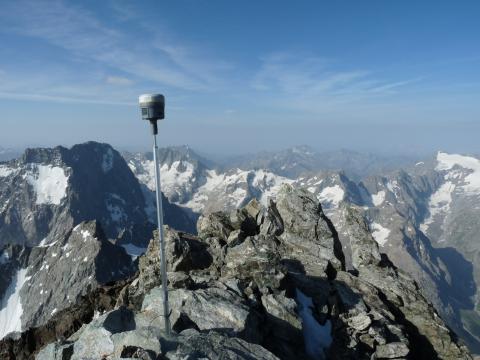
[{"x": 48, "y": 182}]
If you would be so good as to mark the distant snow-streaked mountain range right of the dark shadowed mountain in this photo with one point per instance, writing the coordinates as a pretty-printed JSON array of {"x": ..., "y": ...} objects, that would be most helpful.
[{"x": 422, "y": 212}]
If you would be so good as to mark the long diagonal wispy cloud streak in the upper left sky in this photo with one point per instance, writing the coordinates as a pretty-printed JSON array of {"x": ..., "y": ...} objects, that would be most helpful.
[{"x": 89, "y": 40}]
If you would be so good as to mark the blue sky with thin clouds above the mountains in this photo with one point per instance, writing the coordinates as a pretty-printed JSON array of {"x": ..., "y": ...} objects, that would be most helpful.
[{"x": 241, "y": 76}]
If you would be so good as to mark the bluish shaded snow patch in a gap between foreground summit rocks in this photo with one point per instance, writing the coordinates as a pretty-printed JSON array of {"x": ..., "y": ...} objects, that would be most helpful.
[{"x": 317, "y": 338}]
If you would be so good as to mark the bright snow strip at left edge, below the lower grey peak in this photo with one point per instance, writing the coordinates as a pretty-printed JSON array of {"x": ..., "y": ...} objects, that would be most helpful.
[{"x": 11, "y": 305}]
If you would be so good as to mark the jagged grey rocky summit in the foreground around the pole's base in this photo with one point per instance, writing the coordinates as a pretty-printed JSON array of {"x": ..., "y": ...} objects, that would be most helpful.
[{"x": 260, "y": 282}]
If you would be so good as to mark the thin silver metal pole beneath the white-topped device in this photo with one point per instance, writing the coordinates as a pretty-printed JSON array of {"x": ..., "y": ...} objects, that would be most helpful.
[{"x": 163, "y": 264}]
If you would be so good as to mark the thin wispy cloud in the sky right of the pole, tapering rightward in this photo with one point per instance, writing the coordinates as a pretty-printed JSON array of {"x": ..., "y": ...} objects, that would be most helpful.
[{"x": 312, "y": 83}]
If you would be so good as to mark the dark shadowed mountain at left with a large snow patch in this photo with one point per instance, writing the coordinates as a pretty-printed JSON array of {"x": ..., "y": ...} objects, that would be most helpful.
[{"x": 46, "y": 192}]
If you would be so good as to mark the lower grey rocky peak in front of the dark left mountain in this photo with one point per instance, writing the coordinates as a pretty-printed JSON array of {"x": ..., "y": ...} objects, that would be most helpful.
[{"x": 59, "y": 274}]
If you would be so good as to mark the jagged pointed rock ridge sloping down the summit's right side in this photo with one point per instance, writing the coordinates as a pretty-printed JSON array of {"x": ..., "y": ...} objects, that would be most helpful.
[{"x": 400, "y": 295}]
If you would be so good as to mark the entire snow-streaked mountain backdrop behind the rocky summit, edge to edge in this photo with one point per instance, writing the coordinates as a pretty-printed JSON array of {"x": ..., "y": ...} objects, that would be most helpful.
[{"x": 74, "y": 221}]
